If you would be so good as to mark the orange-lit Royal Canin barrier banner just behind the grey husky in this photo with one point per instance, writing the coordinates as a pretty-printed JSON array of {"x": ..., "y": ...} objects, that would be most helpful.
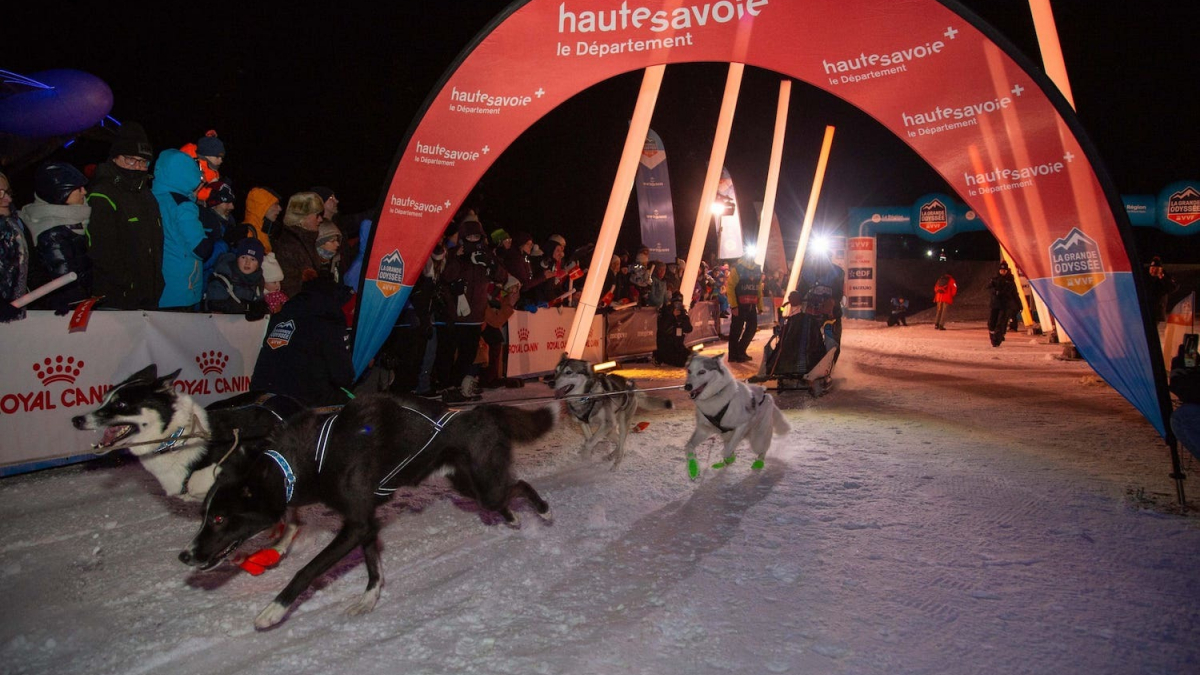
[{"x": 537, "y": 341}]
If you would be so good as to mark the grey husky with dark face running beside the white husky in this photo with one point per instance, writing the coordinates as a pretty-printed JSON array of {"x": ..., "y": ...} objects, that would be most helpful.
[{"x": 604, "y": 405}]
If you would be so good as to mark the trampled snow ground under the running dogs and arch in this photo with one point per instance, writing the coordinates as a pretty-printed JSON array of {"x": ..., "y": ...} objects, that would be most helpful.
[{"x": 949, "y": 509}]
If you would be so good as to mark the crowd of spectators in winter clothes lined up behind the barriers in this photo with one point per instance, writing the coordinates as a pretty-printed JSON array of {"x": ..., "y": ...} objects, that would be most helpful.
[{"x": 146, "y": 231}]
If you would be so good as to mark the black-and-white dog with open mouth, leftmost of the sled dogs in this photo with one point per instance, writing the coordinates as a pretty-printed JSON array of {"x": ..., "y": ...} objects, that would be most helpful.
[{"x": 176, "y": 439}]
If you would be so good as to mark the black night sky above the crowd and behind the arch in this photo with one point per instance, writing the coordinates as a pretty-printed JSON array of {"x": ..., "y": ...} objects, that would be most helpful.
[{"x": 325, "y": 98}]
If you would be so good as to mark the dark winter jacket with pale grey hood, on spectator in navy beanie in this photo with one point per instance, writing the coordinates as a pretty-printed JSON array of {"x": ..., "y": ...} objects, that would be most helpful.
[{"x": 61, "y": 236}]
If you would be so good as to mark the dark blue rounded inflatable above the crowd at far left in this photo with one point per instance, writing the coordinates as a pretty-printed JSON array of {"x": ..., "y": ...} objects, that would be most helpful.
[{"x": 49, "y": 104}]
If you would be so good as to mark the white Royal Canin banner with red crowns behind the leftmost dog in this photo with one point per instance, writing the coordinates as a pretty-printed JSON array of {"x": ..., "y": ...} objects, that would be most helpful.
[{"x": 50, "y": 375}]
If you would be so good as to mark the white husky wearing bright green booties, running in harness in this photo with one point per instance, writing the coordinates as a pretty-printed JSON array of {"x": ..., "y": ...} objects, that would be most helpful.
[{"x": 731, "y": 409}]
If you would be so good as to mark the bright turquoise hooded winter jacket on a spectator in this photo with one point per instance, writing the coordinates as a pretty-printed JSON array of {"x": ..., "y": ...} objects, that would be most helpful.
[{"x": 183, "y": 236}]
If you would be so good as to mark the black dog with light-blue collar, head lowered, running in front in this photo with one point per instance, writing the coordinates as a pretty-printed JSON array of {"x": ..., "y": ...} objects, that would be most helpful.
[{"x": 356, "y": 462}]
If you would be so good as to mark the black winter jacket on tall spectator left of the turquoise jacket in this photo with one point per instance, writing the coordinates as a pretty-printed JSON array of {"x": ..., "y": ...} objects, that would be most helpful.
[{"x": 125, "y": 238}]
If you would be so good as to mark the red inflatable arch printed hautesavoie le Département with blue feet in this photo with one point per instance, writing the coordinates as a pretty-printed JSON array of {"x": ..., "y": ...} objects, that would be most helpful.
[{"x": 983, "y": 117}]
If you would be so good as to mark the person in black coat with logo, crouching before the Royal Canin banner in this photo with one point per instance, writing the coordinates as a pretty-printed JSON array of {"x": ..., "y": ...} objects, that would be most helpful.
[{"x": 305, "y": 355}]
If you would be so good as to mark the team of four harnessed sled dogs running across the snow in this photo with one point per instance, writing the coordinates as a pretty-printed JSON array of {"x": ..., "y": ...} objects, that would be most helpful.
[{"x": 256, "y": 458}]
